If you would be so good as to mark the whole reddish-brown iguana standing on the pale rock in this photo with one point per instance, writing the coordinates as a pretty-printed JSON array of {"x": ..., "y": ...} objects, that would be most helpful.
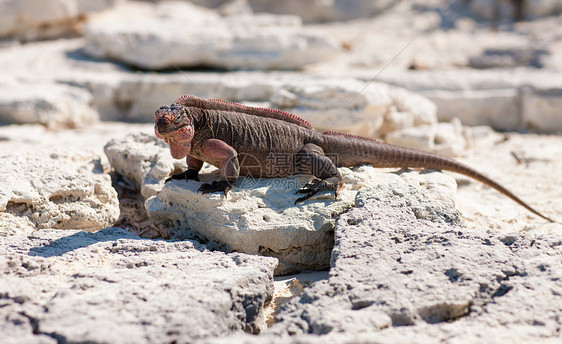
[{"x": 280, "y": 144}]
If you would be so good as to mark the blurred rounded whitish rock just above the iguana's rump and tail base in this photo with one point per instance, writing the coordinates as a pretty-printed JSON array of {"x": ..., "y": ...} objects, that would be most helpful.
[{"x": 355, "y": 107}]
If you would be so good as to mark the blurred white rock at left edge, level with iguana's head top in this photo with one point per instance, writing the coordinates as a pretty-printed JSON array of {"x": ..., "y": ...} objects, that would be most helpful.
[{"x": 54, "y": 105}]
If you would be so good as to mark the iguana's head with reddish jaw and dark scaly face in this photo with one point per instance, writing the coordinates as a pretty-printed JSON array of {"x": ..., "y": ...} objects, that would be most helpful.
[{"x": 173, "y": 125}]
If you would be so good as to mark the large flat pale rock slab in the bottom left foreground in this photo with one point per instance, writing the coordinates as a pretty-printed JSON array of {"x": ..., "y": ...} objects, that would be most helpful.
[{"x": 114, "y": 287}]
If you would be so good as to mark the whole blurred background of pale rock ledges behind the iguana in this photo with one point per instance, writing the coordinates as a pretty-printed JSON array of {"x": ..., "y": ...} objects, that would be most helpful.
[{"x": 493, "y": 63}]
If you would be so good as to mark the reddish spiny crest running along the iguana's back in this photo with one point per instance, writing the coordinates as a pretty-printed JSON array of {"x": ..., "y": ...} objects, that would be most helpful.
[{"x": 224, "y": 105}]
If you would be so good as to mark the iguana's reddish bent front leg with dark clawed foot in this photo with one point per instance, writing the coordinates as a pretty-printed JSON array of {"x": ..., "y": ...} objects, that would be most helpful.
[{"x": 214, "y": 150}]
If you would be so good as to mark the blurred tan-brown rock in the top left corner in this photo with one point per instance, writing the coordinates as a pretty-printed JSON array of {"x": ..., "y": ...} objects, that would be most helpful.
[{"x": 27, "y": 20}]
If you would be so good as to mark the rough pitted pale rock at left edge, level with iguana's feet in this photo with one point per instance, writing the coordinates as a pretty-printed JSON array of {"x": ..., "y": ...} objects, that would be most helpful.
[{"x": 64, "y": 190}]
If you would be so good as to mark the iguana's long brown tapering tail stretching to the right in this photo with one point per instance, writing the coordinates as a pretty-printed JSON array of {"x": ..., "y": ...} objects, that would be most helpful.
[{"x": 354, "y": 150}]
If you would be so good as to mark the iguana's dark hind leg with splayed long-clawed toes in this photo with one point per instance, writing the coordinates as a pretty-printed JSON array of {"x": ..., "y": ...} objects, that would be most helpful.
[{"x": 311, "y": 160}]
